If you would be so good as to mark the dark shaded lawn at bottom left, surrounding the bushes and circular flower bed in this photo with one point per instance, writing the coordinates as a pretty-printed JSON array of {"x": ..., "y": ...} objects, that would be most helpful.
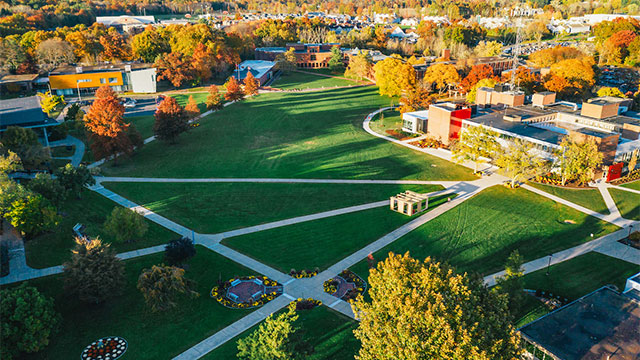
[{"x": 150, "y": 335}]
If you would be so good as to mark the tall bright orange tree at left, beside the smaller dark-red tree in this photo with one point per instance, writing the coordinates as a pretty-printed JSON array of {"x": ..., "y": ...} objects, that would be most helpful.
[{"x": 108, "y": 133}]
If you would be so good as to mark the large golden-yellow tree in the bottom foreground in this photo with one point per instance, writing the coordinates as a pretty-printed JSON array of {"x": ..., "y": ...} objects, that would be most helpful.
[{"x": 425, "y": 310}]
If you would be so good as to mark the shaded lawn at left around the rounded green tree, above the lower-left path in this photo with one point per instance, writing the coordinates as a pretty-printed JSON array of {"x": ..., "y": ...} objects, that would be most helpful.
[{"x": 53, "y": 248}]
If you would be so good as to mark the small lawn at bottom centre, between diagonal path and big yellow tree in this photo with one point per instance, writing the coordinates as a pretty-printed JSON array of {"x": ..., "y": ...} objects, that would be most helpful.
[{"x": 328, "y": 332}]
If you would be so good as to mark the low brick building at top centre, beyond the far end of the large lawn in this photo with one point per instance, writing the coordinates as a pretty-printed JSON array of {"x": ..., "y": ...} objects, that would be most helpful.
[{"x": 307, "y": 55}]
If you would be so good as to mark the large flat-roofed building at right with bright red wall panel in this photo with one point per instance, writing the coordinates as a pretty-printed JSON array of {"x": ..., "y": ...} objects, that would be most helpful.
[{"x": 542, "y": 123}]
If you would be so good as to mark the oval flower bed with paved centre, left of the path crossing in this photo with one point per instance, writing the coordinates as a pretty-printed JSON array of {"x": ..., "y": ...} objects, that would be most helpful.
[{"x": 246, "y": 292}]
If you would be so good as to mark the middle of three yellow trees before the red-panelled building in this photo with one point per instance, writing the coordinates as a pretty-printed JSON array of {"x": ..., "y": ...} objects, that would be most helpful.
[{"x": 519, "y": 160}]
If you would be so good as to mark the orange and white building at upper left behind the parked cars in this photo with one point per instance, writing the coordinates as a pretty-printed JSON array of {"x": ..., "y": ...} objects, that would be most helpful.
[{"x": 138, "y": 78}]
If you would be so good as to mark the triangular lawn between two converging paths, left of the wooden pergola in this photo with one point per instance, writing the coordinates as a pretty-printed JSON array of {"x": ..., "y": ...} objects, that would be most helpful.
[{"x": 217, "y": 207}]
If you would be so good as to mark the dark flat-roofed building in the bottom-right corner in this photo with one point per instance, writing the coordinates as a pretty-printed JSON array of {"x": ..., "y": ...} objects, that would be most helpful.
[{"x": 601, "y": 325}]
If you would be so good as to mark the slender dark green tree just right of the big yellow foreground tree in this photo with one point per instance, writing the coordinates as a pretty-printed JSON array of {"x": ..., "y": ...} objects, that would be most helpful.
[{"x": 511, "y": 282}]
